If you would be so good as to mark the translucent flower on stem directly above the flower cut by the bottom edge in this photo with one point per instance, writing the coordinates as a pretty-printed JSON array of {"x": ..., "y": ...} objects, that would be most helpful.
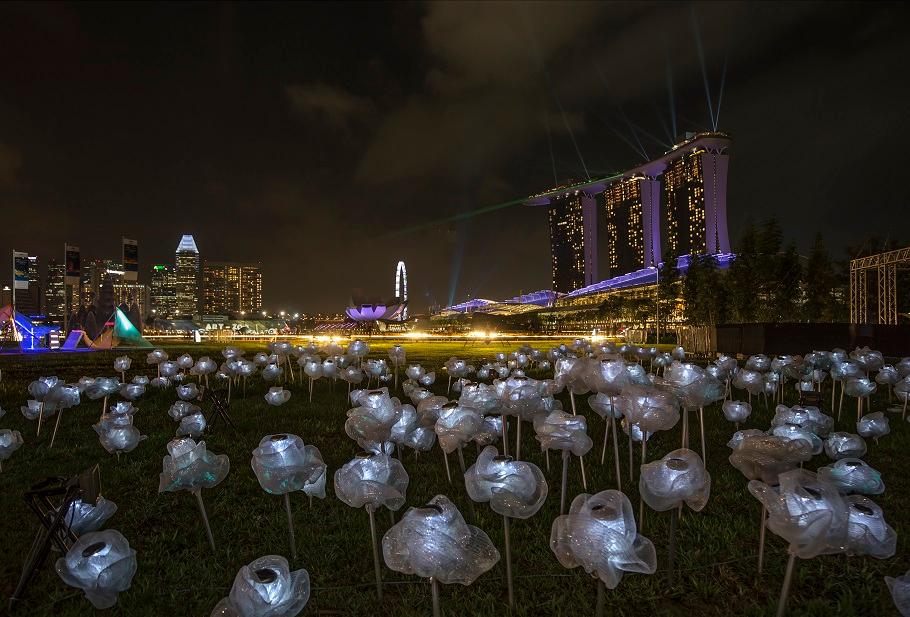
[{"x": 283, "y": 464}]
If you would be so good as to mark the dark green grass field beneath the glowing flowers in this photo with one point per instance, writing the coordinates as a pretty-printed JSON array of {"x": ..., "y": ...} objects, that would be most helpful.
[{"x": 179, "y": 575}]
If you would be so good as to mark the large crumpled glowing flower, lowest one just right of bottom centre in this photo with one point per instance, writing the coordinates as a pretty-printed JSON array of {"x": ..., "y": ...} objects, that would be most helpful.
[{"x": 599, "y": 534}]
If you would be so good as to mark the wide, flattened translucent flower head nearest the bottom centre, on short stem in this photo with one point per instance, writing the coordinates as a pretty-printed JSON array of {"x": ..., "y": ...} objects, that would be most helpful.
[{"x": 434, "y": 541}]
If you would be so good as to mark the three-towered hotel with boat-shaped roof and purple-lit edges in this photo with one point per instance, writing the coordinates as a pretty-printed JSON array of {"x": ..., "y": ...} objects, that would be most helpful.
[{"x": 608, "y": 227}]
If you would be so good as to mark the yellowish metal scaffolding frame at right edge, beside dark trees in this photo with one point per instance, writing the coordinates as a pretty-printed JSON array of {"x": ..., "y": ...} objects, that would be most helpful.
[{"x": 885, "y": 266}]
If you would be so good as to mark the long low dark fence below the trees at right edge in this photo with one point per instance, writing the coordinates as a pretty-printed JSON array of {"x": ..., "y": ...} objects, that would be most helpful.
[{"x": 799, "y": 338}]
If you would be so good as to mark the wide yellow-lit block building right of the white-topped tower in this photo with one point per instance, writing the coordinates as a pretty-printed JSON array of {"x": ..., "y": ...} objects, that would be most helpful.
[{"x": 231, "y": 288}]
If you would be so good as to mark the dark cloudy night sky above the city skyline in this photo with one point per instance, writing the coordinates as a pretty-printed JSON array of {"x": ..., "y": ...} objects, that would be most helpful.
[{"x": 309, "y": 136}]
